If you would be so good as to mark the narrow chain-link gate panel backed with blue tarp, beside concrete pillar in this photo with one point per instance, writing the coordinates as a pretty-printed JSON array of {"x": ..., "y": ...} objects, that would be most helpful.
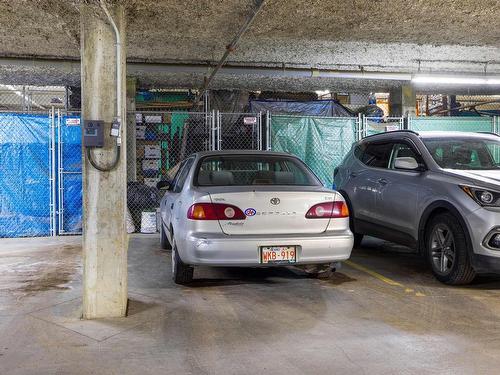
[{"x": 69, "y": 179}]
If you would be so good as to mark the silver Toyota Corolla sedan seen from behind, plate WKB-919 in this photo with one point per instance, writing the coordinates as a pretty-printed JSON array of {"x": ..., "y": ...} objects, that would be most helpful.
[{"x": 251, "y": 209}]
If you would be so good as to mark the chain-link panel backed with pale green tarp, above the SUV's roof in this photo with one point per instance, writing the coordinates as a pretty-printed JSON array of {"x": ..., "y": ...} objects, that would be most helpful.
[{"x": 464, "y": 124}]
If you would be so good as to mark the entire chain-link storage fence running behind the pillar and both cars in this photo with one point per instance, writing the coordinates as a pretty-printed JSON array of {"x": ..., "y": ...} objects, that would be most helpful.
[{"x": 41, "y": 156}]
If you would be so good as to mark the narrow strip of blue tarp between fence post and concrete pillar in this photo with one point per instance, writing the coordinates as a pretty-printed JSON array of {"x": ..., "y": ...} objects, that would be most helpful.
[{"x": 71, "y": 148}]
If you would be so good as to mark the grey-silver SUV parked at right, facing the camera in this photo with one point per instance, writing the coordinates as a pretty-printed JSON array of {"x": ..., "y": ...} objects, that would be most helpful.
[{"x": 434, "y": 191}]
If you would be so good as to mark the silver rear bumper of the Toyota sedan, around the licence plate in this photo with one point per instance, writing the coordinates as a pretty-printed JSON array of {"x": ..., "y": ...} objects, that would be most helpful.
[{"x": 244, "y": 251}]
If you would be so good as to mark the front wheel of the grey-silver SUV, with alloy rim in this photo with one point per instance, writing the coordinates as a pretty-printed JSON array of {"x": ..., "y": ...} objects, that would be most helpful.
[{"x": 447, "y": 252}]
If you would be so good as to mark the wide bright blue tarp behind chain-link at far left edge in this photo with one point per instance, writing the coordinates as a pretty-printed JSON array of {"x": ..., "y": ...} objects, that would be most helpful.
[{"x": 24, "y": 175}]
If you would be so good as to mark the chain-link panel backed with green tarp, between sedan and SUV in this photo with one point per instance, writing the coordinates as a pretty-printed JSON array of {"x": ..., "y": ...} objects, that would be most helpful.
[{"x": 321, "y": 142}]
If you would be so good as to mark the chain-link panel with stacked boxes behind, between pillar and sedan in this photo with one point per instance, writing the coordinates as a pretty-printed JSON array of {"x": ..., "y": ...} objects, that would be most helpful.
[{"x": 163, "y": 140}]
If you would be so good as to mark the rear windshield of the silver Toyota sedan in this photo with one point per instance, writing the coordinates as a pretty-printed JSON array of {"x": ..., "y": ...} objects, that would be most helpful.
[{"x": 241, "y": 170}]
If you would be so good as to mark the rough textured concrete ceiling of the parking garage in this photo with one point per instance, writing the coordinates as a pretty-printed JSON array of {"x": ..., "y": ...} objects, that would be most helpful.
[{"x": 396, "y": 36}]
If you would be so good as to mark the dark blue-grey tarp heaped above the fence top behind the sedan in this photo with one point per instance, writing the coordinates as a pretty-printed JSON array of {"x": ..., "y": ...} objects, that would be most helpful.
[{"x": 330, "y": 108}]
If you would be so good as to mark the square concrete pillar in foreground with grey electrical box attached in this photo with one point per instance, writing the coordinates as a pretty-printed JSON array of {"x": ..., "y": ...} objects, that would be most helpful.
[{"x": 105, "y": 238}]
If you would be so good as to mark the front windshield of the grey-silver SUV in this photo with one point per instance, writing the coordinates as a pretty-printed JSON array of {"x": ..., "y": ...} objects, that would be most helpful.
[{"x": 465, "y": 153}]
